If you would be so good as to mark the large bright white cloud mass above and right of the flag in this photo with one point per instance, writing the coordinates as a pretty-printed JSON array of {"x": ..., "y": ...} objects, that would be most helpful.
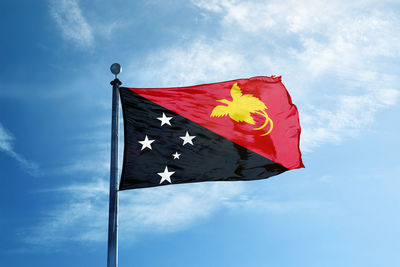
[{"x": 337, "y": 58}]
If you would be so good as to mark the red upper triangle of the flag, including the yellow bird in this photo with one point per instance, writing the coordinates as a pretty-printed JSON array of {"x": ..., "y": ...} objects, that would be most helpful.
[{"x": 255, "y": 113}]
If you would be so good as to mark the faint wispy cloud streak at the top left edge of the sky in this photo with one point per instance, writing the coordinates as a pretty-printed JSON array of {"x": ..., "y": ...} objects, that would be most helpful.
[{"x": 68, "y": 16}]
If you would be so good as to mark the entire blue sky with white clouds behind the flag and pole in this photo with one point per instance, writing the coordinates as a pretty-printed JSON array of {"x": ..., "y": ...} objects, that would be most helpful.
[{"x": 338, "y": 59}]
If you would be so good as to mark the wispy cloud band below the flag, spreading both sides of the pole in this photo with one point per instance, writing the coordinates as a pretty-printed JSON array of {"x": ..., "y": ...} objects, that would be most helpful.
[{"x": 83, "y": 216}]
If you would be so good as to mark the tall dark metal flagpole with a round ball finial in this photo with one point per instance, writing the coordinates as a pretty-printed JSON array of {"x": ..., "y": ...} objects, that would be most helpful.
[{"x": 112, "y": 256}]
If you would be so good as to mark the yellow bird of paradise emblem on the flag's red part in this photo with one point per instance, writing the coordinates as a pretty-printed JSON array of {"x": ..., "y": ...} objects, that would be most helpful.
[{"x": 241, "y": 107}]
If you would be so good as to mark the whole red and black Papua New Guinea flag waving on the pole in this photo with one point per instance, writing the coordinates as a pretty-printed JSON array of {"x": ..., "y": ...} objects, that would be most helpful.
[{"x": 244, "y": 129}]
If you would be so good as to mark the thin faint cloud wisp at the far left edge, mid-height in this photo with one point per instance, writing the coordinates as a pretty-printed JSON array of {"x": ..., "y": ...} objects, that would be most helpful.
[{"x": 6, "y": 140}]
